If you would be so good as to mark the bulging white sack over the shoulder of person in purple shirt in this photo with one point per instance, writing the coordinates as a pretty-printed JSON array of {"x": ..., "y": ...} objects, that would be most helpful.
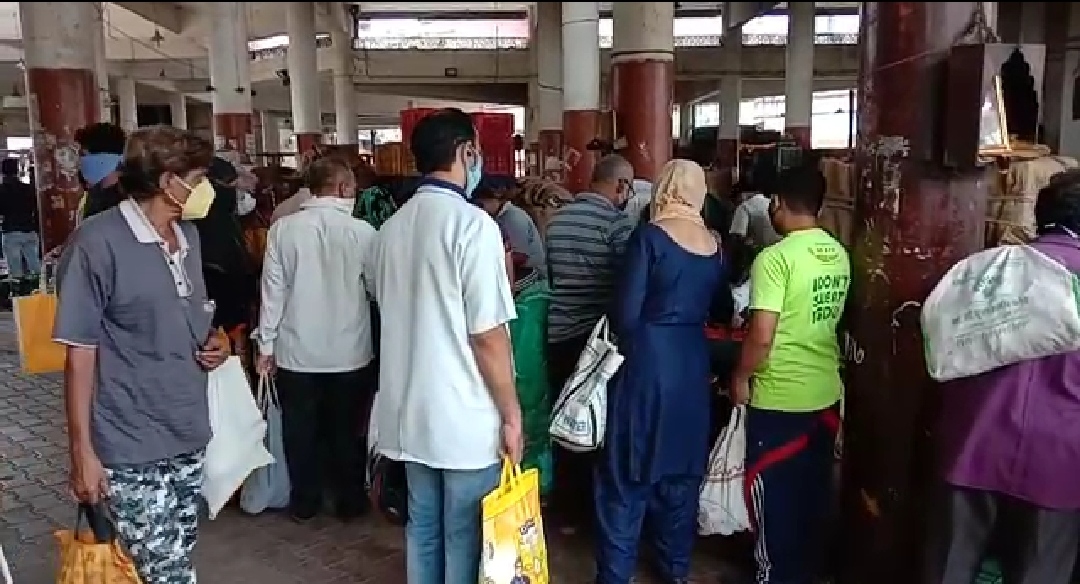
[{"x": 1000, "y": 307}]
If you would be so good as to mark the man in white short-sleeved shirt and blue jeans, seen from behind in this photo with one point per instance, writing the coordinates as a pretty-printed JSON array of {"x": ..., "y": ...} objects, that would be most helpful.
[{"x": 448, "y": 406}]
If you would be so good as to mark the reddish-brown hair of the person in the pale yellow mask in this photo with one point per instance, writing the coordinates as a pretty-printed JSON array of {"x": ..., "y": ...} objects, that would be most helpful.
[{"x": 154, "y": 152}]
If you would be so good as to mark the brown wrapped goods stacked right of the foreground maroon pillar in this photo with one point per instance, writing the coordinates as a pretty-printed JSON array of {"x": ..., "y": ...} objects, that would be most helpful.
[{"x": 1010, "y": 215}]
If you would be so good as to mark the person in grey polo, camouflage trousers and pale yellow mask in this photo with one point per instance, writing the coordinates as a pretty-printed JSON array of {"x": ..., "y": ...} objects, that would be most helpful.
[{"x": 134, "y": 316}]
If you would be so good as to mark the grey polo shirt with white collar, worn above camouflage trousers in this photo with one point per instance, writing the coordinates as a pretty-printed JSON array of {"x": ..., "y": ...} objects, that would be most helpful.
[{"x": 146, "y": 311}]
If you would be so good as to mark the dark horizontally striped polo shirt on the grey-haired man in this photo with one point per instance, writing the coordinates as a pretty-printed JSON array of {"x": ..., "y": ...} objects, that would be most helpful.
[{"x": 587, "y": 240}]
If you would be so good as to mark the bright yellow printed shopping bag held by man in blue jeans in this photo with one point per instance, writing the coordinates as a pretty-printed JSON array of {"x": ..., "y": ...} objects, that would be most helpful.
[{"x": 515, "y": 549}]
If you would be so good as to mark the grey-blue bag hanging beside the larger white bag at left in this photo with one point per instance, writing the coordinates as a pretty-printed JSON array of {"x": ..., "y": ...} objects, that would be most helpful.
[{"x": 268, "y": 487}]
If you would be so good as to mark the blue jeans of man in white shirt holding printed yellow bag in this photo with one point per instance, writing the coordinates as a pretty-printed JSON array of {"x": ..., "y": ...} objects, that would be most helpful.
[{"x": 443, "y": 536}]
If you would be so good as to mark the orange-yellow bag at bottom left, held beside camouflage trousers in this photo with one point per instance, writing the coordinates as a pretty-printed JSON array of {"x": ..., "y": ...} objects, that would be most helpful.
[{"x": 85, "y": 560}]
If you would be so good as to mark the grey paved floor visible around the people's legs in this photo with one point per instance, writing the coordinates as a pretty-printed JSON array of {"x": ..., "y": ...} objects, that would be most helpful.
[{"x": 234, "y": 549}]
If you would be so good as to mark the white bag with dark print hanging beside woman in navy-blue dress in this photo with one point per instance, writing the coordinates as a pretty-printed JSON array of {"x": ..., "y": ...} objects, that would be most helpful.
[{"x": 580, "y": 415}]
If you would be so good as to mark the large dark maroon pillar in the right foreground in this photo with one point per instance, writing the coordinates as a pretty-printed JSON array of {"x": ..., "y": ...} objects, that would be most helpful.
[{"x": 914, "y": 220}]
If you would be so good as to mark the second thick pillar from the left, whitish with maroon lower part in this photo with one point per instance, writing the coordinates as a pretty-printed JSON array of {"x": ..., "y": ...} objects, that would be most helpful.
[{"x": 231, "y": 76}]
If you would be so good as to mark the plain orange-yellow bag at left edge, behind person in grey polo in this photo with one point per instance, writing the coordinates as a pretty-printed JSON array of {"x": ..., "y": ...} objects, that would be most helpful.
[{"x": 34, "y": 321}]
